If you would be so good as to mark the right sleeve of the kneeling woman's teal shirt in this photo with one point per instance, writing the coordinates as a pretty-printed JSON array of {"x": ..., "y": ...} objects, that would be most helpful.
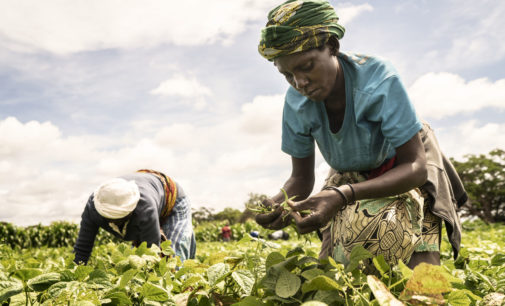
[{"x": 391, "y": 107}]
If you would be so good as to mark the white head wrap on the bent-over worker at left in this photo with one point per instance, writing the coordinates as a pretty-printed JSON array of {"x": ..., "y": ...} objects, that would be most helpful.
[{"x": 116, "y": 198}]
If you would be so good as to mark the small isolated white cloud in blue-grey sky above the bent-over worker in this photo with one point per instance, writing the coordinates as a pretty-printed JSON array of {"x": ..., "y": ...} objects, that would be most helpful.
[{"x": 189, "y": 89}]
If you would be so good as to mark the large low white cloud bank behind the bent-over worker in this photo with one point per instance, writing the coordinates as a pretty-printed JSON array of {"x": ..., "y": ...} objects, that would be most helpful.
[{"x": 217, "y": 165}]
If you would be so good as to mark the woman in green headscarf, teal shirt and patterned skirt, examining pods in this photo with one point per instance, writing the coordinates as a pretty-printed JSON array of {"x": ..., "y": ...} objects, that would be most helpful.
[{"x": 390, "y": 186}]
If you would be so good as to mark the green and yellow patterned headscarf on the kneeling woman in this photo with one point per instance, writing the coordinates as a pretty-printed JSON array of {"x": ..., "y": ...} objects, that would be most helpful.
[{"x": 298, "y": 25}]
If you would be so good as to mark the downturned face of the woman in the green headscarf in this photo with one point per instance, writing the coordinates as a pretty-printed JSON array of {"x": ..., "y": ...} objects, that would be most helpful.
[{"x": 313, "y": 73}]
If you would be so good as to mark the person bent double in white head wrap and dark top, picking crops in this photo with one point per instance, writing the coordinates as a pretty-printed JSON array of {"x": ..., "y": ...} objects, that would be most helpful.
[{"x": 144, "y": 206}]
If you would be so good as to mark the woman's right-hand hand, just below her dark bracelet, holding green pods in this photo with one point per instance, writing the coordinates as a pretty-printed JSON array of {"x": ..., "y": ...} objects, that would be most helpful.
[{"x": 323, "y": 206}]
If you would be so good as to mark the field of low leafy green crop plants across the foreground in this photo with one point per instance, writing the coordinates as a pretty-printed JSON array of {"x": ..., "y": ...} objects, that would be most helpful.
[{"x": 252, "y": 272}]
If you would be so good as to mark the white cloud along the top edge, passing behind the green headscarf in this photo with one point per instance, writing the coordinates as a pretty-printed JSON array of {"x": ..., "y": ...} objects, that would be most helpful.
[{"x": 64, "y": 27}]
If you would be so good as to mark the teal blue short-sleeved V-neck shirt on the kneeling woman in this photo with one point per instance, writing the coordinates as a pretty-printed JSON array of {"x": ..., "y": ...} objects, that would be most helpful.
[{"x": 379, "y": 117}]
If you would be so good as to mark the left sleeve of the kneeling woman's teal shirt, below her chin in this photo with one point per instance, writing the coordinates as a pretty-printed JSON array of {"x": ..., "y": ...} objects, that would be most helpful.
[{"x": 297, "y": 140}]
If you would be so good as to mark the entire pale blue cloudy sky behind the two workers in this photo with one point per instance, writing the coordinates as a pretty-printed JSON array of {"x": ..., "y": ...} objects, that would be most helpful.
[{"x": 94, "y": 89}]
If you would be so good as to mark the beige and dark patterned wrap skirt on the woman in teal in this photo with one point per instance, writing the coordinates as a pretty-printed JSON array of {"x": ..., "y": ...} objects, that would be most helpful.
[{"x": 395, "y": 226}]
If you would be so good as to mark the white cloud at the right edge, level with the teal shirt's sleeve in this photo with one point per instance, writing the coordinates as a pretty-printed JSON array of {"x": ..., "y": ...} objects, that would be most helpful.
[{"x": 438, "y": 95}]
